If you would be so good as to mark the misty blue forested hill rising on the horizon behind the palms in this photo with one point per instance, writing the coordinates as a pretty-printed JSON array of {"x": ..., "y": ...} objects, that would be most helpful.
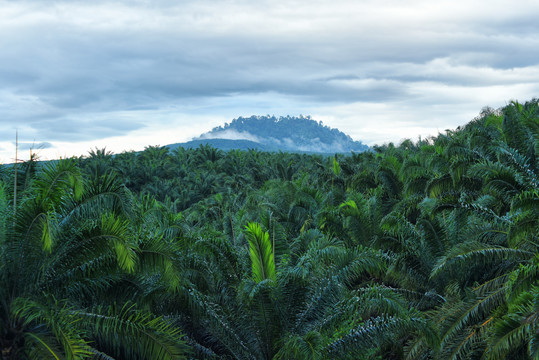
[{"x": 296, "y": 134}]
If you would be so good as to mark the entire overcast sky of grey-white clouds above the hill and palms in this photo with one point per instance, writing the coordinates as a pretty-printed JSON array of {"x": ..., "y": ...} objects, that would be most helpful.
[{"x": 75, "y": 75}]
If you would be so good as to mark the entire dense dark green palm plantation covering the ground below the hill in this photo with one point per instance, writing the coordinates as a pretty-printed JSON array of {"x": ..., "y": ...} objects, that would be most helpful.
[{"x": 425, "y": 250}]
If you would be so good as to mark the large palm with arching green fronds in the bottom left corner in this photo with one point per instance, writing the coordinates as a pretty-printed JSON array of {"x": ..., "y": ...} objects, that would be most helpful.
[{"x": 69, "y": 241}]
